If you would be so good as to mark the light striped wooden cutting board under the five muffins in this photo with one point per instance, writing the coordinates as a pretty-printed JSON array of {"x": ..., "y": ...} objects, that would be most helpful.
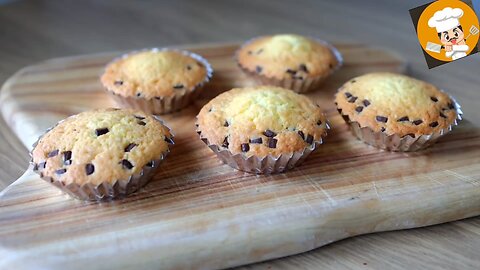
[{"x": 199, "y": 213}]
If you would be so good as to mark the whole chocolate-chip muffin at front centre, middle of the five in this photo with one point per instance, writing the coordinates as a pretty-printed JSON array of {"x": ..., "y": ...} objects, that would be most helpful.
[{"x": 263, "y": 129}]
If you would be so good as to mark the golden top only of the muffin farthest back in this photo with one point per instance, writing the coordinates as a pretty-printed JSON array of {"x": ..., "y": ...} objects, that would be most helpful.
[{"x": 285, "y": 56}]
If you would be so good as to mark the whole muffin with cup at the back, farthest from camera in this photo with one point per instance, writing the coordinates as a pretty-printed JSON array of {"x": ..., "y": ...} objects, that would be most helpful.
[{"x": 290, "y": 61}]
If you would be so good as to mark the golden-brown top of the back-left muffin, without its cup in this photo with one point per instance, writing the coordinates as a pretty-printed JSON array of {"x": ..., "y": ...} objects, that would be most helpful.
[{"x": 155, "y": 73}]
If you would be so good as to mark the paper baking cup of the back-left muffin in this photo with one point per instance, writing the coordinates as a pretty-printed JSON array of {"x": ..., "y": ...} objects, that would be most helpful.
[{"x": 168, "y": 104}]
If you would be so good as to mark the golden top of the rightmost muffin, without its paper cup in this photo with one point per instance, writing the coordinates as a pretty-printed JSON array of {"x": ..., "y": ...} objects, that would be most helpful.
[{"x": 396, "y": 104}]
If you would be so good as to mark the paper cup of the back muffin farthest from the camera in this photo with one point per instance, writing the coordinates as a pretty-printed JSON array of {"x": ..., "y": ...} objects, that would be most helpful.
[{"x": 299, "y": 86}]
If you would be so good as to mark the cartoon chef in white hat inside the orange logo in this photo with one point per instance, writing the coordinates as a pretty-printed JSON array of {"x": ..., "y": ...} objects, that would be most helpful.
[{"x": 450, "y": 31}]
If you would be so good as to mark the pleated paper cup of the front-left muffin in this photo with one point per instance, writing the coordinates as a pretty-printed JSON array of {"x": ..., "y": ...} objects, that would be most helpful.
[{"x": 104, "y": 191}]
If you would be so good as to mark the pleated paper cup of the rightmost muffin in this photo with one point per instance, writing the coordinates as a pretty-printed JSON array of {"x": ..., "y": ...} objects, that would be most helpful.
[{"x": 395, "y": 142}]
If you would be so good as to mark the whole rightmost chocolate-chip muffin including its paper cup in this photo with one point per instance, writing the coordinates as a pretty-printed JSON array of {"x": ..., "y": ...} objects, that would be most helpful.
[{"x": 396, "y": 112}]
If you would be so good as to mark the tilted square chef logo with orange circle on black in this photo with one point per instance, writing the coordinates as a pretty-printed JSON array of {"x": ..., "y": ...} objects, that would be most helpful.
[{"x": 447, "y": 30}]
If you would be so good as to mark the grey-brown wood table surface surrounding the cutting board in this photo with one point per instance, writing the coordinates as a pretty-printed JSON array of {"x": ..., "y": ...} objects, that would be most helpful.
[{"x": 35, "y": 30}]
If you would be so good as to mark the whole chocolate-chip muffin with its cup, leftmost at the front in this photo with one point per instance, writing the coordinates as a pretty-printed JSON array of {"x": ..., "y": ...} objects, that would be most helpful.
[{"x": 102, "y": 154}]
